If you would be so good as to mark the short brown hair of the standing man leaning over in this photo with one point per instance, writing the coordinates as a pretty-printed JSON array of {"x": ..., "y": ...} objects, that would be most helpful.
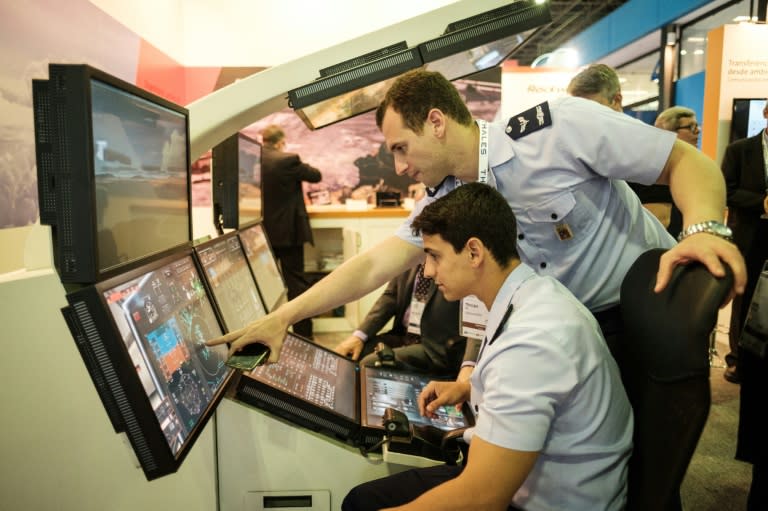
[{"x": 416, "y": 92}]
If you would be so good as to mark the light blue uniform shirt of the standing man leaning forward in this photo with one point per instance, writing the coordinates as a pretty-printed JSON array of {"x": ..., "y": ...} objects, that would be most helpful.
[{"x": 577, "y": 220}]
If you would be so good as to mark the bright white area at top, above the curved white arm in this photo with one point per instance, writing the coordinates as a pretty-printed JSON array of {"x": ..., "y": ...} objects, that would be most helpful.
[{"x": 247, "y": 33}]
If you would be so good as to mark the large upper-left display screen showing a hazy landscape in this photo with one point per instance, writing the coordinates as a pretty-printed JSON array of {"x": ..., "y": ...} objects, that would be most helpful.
[{"x": 140, "y": 166}]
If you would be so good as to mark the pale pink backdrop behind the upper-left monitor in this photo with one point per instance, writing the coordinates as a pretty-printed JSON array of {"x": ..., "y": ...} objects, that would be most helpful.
[{"x": 26, "y": 48}]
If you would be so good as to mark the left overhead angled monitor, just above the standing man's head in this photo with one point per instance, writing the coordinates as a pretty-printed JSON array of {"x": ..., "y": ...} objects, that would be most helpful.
[{"x": 352, "y": 87}]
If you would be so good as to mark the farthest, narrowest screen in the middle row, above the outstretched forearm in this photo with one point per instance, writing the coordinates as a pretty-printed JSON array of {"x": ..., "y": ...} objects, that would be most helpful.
[{"x": 263, "y": 265}]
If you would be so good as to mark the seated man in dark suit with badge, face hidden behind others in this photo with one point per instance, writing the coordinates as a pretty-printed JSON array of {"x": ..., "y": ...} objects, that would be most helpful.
[{"x": 425, "y": 332}]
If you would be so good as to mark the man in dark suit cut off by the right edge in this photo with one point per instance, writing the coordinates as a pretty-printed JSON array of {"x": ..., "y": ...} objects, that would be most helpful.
[{"x": 744, "y": 168}]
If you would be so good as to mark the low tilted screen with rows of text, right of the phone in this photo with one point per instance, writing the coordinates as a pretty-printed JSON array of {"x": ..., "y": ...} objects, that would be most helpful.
[{"x": 313, "y": 374}]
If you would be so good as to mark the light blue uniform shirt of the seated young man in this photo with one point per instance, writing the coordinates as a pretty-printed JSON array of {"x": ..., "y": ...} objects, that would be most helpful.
[{"x": 553, "y": 387}]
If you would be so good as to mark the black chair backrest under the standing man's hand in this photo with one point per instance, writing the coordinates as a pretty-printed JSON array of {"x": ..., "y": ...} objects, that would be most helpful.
[{"x": 664, "y": 363}]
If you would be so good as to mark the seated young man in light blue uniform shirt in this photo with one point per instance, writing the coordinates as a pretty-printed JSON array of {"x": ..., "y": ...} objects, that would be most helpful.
[{"x": 554, "y": 425}]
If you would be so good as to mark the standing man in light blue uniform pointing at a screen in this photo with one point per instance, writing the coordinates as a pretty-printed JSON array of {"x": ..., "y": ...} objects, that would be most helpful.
[{"x": 561, "y": 166}]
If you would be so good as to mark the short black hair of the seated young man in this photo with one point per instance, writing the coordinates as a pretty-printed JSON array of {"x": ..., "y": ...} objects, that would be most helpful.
[{"x": 472, "y": 210}]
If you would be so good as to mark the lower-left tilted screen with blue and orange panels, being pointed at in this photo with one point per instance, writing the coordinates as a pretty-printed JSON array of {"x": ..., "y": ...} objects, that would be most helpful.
[{"x": 164, "y": 317}]
